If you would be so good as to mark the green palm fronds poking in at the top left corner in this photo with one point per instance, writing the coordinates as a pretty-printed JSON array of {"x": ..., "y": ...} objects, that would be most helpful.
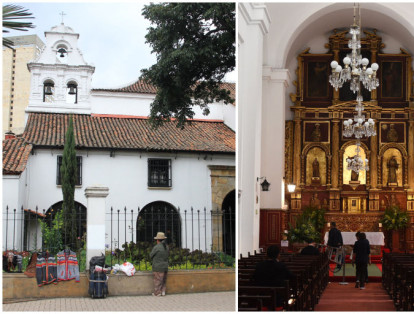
[{"x": 11, "y": 13}]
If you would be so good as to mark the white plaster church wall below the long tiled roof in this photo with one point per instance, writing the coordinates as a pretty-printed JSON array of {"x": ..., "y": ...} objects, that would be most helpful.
[{"x": 126, "y": 177}]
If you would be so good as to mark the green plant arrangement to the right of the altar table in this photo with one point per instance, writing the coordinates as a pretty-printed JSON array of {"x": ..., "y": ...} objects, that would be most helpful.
[{"x": 394, "y": 220}]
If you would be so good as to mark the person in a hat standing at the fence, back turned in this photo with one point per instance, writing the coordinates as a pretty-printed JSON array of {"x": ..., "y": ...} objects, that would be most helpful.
[{"x": 159, "y": 257}]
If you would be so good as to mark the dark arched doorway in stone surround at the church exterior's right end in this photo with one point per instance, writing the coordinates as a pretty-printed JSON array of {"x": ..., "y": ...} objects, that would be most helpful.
[{"x": 228, "y": 224}]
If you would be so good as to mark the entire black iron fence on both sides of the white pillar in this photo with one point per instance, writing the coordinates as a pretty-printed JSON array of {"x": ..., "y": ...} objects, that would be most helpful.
[{"x": 197, "y": 238}]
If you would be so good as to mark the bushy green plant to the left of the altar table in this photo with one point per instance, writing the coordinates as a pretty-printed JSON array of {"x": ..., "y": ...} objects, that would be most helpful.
[{"x": 308, "y": 226}]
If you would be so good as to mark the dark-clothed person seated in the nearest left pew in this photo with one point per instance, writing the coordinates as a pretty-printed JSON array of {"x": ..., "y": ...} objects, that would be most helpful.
[{"x": 271, "y": 272}]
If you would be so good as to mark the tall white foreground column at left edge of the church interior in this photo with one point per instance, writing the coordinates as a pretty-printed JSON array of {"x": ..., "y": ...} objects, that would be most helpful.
[{"x": 253, "y": 22}]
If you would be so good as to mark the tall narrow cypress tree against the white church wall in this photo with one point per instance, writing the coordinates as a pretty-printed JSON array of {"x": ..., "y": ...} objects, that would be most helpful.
[{"x": 68, "y": 172}]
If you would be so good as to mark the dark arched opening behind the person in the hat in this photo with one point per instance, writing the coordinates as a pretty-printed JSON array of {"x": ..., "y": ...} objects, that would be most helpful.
[{"x": 159, "y": 217}]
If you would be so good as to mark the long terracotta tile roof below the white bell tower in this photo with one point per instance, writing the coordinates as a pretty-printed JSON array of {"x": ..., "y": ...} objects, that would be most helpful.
[{"x": 126, "y": 132}]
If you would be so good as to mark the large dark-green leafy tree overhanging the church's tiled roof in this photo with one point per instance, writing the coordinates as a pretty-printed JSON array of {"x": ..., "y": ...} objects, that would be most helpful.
[{"x": 195, "y": 48}]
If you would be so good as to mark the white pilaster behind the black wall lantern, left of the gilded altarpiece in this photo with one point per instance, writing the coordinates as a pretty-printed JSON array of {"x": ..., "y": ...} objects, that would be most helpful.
[{"x": 275, "y": 82}]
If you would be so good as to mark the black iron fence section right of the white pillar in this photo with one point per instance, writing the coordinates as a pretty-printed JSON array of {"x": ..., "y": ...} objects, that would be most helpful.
[{"x": 196, "y": 238}]
